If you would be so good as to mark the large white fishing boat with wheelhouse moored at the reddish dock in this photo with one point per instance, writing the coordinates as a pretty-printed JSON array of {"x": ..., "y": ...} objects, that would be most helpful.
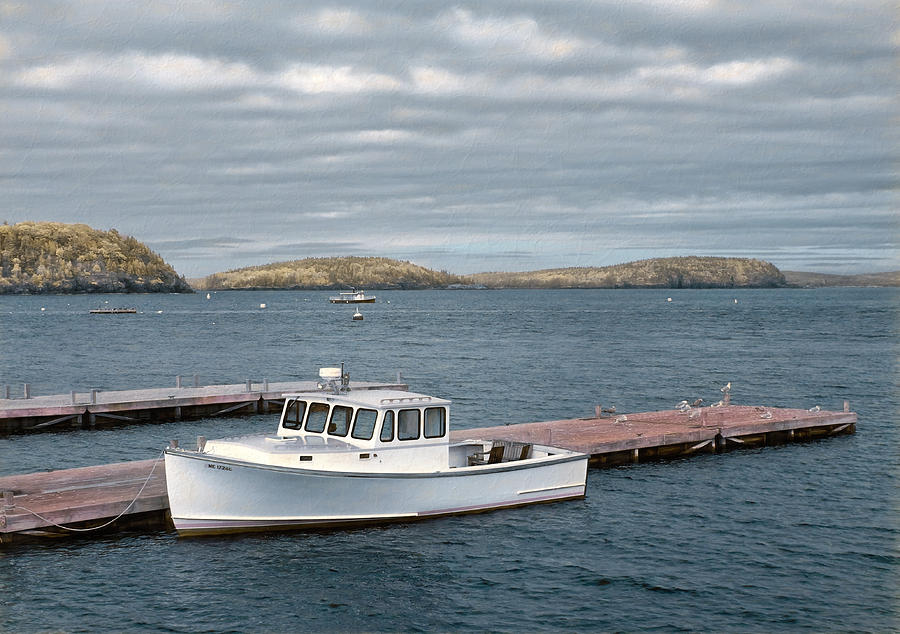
[{"x": 344, "y": 456}]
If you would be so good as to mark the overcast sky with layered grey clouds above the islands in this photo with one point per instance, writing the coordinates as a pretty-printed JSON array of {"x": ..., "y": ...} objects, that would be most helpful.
[{"x": 466, "y": 137}]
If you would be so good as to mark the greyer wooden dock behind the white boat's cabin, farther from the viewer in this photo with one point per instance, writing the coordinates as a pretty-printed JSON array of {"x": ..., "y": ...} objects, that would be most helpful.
[{"x": 89, "y": 409}]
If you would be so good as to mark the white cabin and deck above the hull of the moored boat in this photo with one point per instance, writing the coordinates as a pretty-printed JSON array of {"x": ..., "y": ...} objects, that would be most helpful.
[{"x": 381, "y": 430}]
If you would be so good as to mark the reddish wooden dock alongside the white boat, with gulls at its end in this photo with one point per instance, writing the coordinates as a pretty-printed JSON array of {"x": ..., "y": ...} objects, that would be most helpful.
[{"x": 133, "y": 494}]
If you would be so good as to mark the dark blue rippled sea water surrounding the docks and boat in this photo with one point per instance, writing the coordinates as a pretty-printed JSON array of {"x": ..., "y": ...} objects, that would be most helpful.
[{"x": 791, "y": 538}]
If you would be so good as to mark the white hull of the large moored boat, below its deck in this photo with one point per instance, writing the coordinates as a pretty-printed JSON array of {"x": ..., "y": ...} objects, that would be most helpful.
[{"x": 210, "y": 495}]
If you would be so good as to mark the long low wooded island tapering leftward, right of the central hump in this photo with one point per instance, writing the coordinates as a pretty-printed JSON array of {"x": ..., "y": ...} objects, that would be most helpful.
[{"x": 681, "y": 272}]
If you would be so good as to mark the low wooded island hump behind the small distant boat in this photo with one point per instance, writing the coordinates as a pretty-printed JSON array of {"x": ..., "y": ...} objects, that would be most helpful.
[{"x": 331, "y": 273}]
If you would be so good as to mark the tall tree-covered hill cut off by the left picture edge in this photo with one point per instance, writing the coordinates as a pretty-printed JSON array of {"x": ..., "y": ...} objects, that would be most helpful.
[{"x": 53, "y": 257}]
